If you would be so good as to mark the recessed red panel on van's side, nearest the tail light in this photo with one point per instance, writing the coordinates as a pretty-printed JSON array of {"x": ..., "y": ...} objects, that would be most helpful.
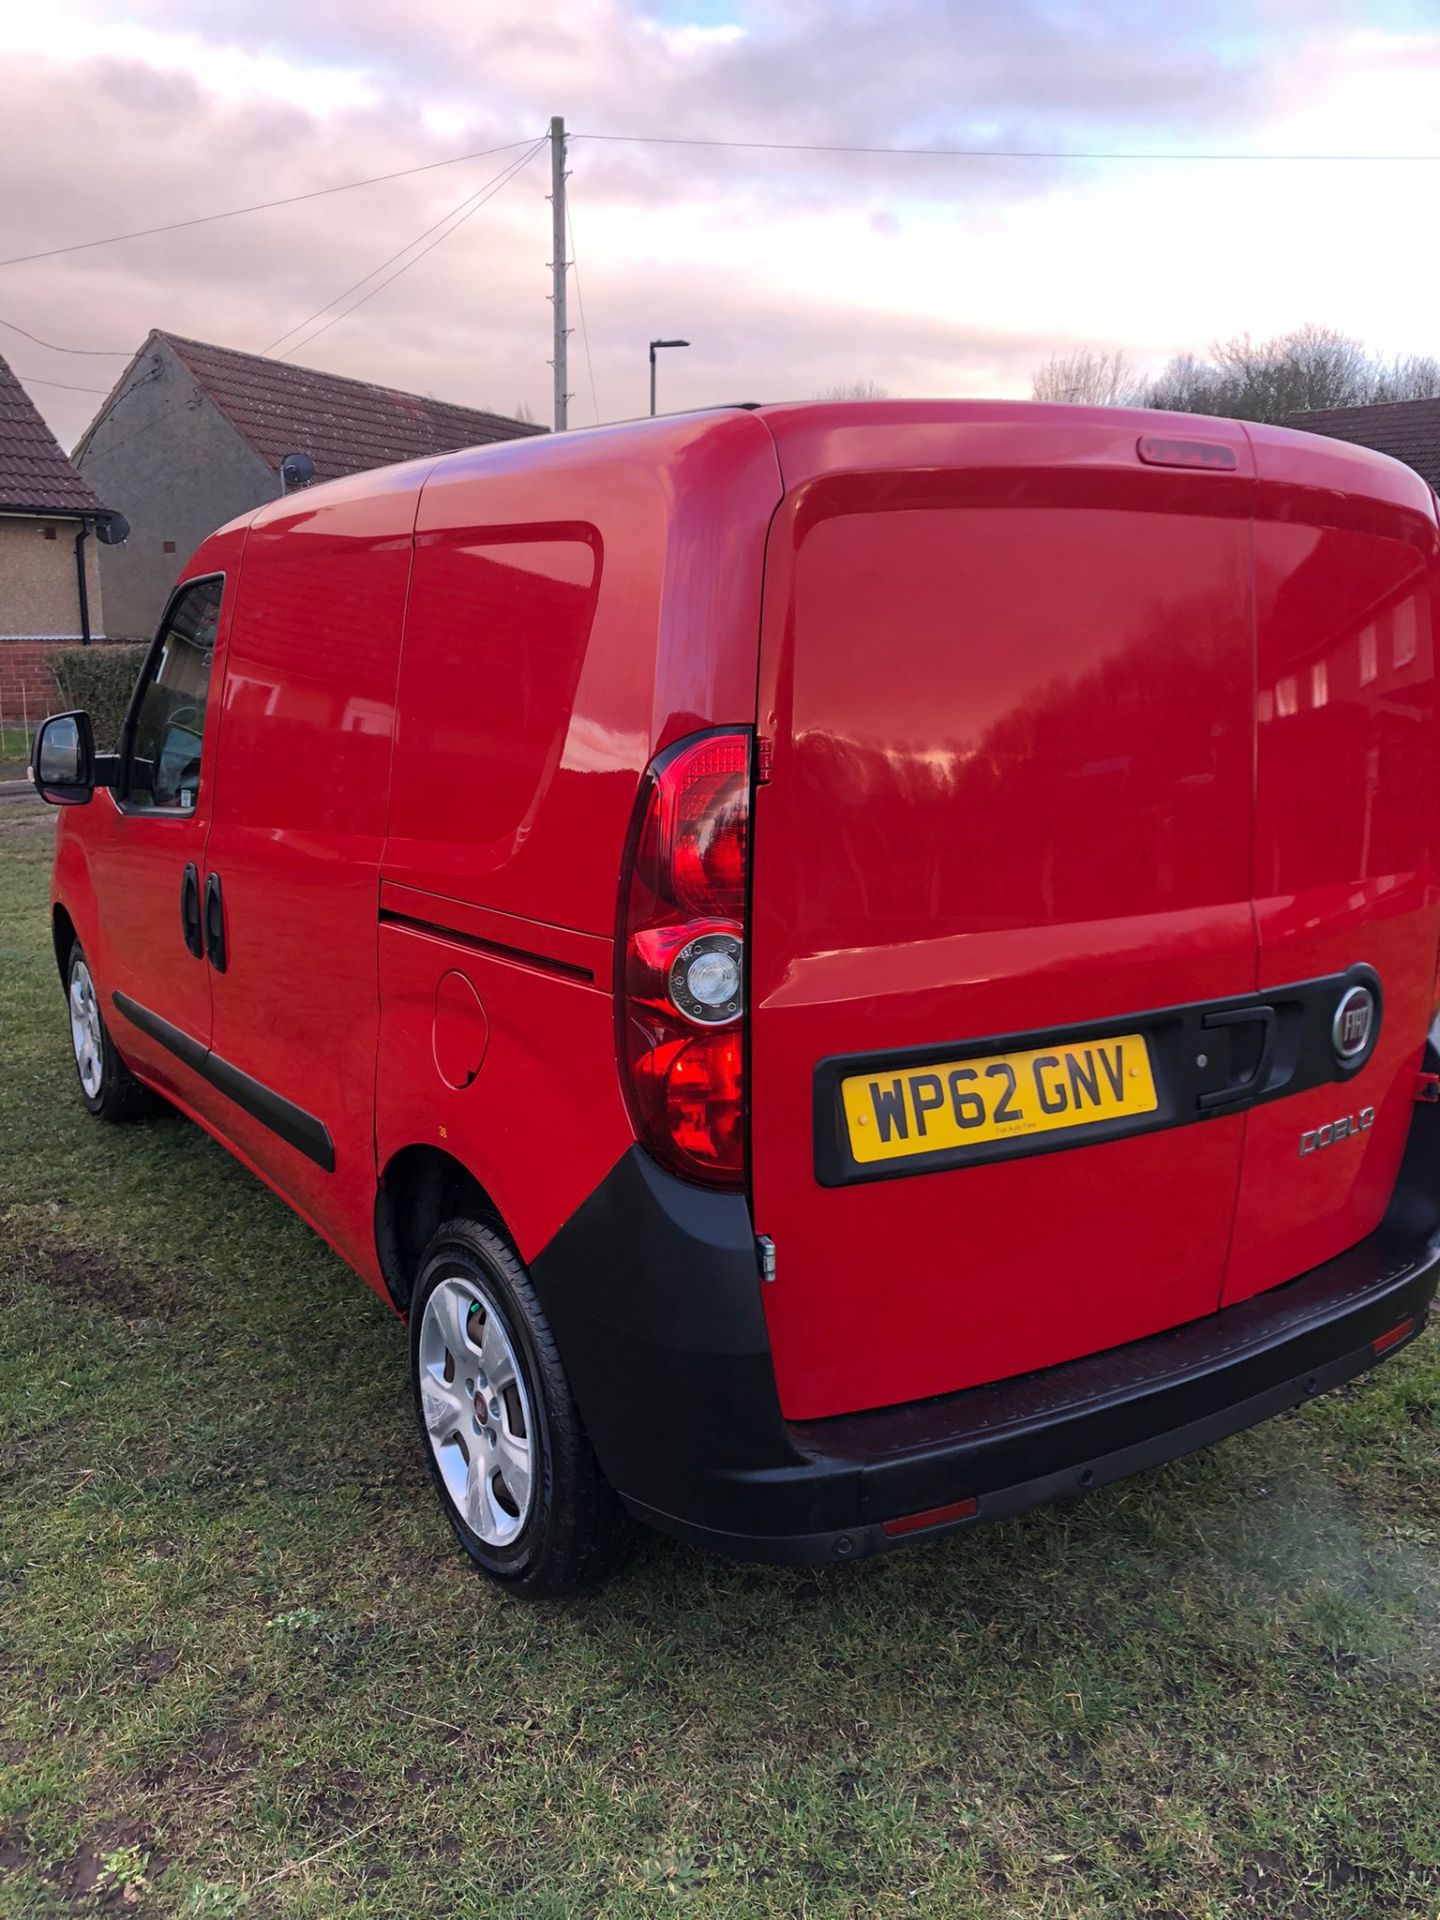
[{"x": 494, "y": 644}]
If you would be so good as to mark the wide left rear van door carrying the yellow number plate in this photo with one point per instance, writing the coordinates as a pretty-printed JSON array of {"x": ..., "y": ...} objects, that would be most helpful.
[{"x": 1007, "y": 836}]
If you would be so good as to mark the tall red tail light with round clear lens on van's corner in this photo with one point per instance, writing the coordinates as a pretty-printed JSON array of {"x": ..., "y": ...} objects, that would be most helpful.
[{"x": 681, "y": 992}]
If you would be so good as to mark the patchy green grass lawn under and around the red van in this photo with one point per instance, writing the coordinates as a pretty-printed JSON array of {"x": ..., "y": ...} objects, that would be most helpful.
[{"x": 243, "y": 1669}]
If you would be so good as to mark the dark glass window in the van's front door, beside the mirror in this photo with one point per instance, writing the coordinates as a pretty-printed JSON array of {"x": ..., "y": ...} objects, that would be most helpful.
[{"x": 162, "y": 769}]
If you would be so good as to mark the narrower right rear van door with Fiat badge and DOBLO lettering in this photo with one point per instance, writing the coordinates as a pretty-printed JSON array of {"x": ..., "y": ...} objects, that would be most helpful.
[{"x": 1345, "y": 836}]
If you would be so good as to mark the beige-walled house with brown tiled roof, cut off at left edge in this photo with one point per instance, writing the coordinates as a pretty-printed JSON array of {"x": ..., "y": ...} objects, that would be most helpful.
[{"x": 49, "y": 560}]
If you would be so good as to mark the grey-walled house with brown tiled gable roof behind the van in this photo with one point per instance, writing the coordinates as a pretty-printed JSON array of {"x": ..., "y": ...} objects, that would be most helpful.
[{"x": 195, "y": 435}]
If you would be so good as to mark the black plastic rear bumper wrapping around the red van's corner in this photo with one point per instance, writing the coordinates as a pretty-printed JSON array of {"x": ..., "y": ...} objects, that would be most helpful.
[{"x": 656, "y": 1301}]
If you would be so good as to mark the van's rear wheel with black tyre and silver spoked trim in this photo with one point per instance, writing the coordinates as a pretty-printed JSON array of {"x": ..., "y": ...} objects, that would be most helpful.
[{"x": 500, "y": 1428}]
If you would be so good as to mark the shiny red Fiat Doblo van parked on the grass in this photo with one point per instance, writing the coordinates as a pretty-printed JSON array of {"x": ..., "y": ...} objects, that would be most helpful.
[{"x": 850, "y": 969}]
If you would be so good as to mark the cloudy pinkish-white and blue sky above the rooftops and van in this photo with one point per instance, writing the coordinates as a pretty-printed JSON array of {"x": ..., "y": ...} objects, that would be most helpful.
[{"x": 790, "y": 272}]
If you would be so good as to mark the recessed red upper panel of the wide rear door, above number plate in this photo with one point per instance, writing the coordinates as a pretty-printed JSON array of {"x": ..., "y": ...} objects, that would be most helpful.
[{"x": 1055, "y": 704}]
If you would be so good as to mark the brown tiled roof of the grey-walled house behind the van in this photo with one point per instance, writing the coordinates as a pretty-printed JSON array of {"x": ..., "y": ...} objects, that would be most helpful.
[{"x": 345, "y": 425}]
